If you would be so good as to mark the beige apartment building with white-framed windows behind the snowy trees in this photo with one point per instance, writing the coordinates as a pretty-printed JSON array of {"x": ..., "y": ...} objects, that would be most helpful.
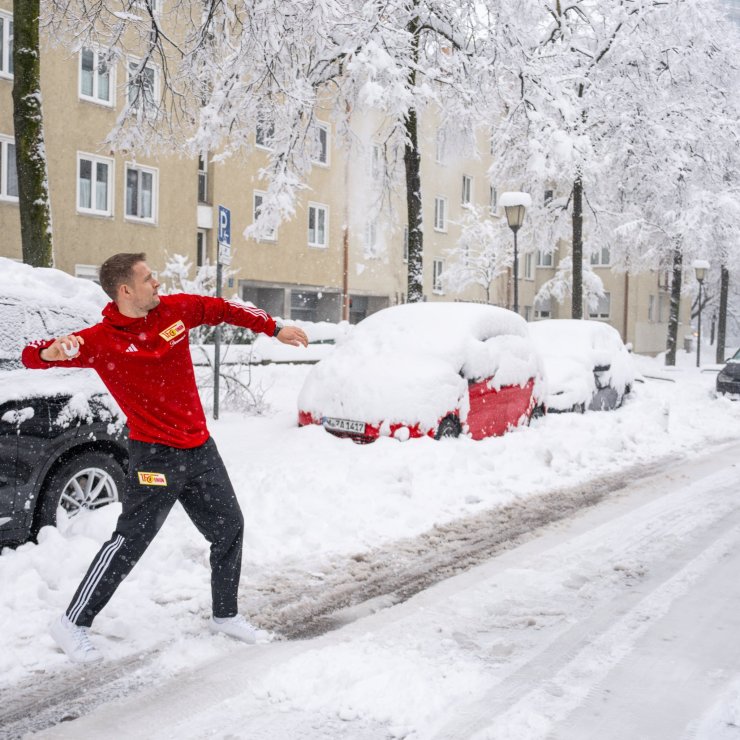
[{"x": 347, "y": 230}]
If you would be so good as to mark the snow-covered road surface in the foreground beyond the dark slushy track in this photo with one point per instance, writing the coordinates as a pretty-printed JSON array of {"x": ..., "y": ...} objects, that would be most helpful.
[{"x": 620, "y": 621}]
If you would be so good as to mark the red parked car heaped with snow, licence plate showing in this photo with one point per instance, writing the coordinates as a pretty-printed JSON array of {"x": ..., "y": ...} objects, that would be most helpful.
[{"x": 426, "y": 369}]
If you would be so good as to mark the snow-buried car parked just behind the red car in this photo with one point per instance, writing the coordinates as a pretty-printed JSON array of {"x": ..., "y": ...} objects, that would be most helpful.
[{"x": 586, "y": 364}]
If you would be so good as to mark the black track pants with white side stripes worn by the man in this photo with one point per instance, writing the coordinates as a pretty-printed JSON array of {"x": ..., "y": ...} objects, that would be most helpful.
[{"x": 158, "y": 476}]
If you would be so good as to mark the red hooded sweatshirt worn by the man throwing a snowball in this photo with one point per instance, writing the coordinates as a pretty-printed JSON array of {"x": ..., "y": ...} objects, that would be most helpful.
[{"x": 145, "y": 363}]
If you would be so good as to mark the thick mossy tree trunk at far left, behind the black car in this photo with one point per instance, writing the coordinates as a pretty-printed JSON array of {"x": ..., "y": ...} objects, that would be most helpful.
[{"x": 30, "y": 152}]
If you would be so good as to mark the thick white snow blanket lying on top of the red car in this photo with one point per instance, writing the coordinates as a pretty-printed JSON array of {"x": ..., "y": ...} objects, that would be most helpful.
[{"x": 411, "y": 363}]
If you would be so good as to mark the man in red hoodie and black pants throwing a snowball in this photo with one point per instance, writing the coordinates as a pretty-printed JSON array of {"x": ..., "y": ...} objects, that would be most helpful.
[{"x": 141, "y": 352}]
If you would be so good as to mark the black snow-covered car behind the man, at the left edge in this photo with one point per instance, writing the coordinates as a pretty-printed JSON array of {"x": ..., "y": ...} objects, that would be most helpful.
[{"x": 62, "y": 447}]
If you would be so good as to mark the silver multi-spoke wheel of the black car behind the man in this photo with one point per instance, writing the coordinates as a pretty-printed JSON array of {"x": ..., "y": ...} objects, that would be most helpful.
[{"x": 85, "y": 482}]
